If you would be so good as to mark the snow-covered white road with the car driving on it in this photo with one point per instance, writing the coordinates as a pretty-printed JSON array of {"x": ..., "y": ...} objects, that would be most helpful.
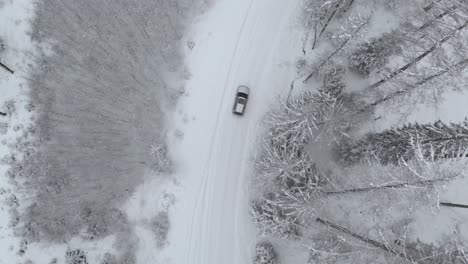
[{"x": 241, "y": 42}]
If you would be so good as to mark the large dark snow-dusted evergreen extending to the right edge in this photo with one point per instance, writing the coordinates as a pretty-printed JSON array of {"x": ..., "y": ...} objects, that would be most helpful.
[{"x": 433, "y": 141}]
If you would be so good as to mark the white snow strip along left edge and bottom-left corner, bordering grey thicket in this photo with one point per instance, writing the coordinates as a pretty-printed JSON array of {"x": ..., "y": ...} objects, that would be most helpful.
[{"x": 15, "y": 26}]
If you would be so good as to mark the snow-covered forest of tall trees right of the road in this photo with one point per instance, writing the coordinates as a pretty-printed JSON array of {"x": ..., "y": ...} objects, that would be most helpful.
[{"x": 334, "y": 179}]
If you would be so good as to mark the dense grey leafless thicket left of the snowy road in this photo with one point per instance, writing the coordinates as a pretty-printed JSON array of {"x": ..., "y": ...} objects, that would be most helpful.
[{"x": 101, "y": 79}]
